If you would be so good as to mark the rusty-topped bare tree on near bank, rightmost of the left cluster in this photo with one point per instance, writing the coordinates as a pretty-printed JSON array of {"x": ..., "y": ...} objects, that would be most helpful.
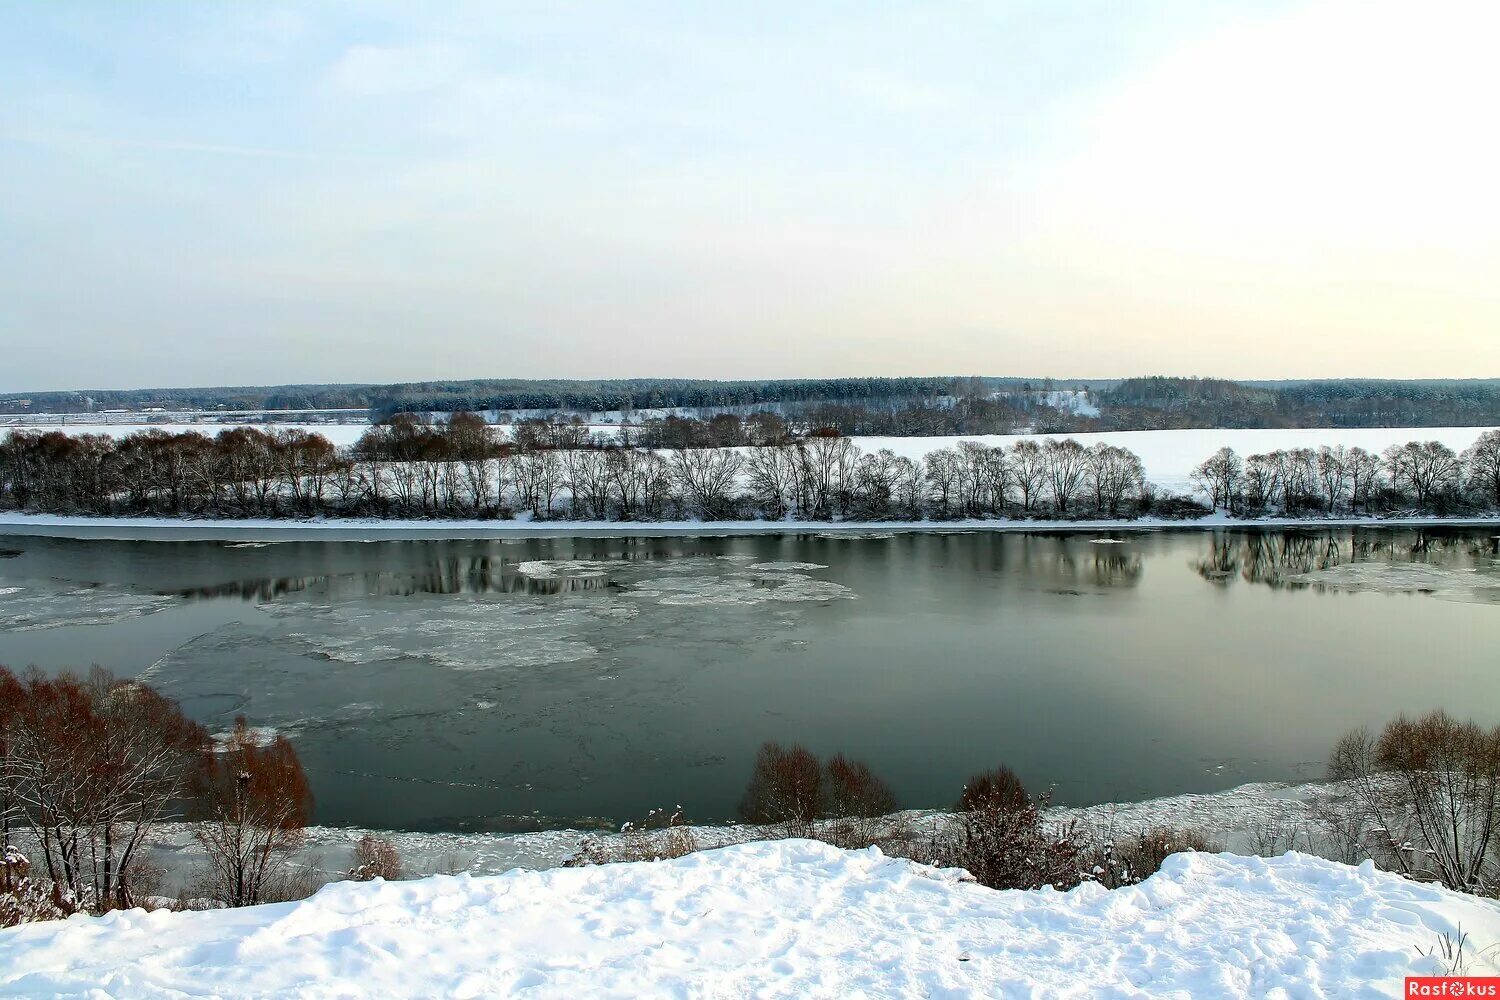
[{"x": 253, "y": 806}]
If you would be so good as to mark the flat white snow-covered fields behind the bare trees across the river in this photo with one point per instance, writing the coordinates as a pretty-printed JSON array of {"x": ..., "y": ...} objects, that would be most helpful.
[{"x": 1168, "y": 455}]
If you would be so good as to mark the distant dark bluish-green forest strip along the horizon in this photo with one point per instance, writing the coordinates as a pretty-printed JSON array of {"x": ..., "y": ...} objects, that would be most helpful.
[{"x": 940, "y": 406}]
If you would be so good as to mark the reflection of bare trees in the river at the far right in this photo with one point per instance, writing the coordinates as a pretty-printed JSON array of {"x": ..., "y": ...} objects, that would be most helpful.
[{"x": 1277, "y": 557}]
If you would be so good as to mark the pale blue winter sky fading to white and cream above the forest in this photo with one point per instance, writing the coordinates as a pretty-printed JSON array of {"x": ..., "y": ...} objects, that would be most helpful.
[{"x": 244, "y": 194}]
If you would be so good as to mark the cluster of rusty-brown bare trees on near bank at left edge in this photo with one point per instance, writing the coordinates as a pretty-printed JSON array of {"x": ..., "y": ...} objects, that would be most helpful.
[{"x": 92, "y": 767}]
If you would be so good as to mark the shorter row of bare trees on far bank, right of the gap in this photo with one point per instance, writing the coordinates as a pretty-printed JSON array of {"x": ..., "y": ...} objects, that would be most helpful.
[{"x": 1424, "y": 476}]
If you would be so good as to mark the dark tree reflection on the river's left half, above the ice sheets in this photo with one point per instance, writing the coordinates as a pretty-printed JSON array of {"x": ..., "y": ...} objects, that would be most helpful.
[{"x": 457, "y": 575}]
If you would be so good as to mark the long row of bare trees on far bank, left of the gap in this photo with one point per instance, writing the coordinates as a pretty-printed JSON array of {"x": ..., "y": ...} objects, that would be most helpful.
[{"x": 463, "y": 470}]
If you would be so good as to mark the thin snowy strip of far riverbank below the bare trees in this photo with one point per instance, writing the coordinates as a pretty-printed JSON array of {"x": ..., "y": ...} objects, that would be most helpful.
[{"x": 401, "y": 530}]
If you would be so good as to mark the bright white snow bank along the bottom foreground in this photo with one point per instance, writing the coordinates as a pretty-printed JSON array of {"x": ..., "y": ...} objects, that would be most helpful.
[{"x": 790, "y": 918}]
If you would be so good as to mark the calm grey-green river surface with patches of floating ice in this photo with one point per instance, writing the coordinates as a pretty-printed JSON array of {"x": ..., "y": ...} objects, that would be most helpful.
[{"x": 485, "y": 684}]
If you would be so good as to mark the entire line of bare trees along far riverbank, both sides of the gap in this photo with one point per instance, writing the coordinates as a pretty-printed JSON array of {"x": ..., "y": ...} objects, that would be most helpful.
[{"x": 718, "y": 470}]
